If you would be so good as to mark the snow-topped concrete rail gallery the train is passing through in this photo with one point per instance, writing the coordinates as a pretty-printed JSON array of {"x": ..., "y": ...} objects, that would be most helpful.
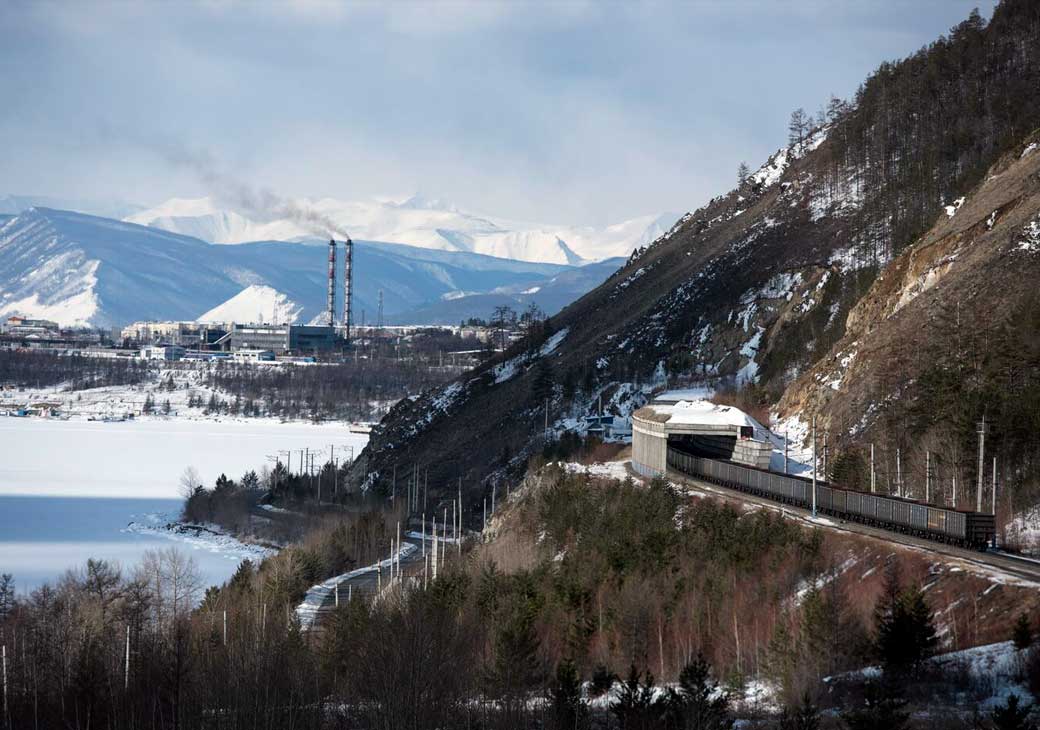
[{"x": 683, "y": 420}]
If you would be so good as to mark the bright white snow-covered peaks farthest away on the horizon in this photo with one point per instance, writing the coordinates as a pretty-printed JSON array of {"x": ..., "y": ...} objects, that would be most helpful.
[{"x": 419, "y": 221}]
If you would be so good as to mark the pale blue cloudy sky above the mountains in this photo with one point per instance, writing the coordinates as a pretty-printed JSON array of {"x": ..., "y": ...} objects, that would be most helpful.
[{"x": 569, "y": 113}]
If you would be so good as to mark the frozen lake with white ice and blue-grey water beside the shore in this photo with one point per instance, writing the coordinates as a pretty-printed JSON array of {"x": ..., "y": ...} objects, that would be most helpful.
[{"x": 69, "y": 489}]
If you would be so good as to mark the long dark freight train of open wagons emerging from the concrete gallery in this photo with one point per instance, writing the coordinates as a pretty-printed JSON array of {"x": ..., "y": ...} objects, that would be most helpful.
[{"x": 972, "y": 530}]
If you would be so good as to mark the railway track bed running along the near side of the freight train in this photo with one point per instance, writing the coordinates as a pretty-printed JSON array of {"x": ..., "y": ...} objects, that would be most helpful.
[{"x": 1021, "y": 568}]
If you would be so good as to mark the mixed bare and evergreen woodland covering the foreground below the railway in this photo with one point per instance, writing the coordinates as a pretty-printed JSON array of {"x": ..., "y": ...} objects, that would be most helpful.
[{"x": 622, "y": 588}]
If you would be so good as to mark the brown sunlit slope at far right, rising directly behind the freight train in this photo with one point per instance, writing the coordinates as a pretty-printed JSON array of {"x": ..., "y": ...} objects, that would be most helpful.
[{"x": 948, "y": 336}]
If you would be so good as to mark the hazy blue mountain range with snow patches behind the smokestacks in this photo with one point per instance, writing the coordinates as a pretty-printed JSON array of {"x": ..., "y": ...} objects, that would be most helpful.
[{"x": 85, "y": 270}]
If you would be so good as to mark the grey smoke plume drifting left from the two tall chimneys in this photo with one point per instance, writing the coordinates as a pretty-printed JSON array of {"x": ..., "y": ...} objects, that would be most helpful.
[{"x": 262, "y": 203}]
